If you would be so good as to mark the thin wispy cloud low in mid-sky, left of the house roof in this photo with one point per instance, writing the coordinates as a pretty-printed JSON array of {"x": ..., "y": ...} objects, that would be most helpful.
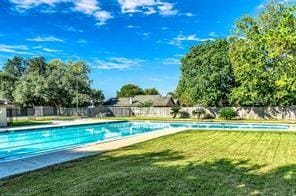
[{"x": 119, "y": 63}]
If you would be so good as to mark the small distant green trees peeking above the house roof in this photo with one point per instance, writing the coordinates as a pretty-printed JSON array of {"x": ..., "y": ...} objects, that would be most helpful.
[{"x": 131, "y": 90}]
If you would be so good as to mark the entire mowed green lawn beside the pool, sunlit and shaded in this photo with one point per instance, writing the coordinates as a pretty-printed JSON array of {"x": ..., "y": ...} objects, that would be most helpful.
[{"x": 187, "y": 163}]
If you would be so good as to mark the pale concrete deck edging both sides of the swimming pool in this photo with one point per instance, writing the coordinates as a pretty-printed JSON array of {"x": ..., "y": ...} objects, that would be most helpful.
[{"x": 40, "y": 161}]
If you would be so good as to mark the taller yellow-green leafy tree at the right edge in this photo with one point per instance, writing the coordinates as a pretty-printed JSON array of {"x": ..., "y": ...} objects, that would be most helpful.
[{"x": 263, "y": 55}]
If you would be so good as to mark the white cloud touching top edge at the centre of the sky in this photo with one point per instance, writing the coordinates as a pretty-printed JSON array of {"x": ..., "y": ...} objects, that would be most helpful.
[{"x": 148, "y": 7}]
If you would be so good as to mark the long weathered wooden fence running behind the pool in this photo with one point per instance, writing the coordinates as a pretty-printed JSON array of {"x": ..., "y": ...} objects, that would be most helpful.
[{"x": 280, "y": 113}]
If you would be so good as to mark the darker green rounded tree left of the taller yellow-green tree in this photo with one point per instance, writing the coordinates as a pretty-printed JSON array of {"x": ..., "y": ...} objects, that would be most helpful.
[{"x": 206, "y": 75}]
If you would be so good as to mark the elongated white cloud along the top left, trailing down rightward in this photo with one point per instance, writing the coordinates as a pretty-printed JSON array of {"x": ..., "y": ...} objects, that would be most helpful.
[{"x": 88, "y": 7}]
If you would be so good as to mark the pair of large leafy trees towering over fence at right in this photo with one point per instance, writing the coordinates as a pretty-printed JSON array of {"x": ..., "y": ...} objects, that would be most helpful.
[{"x": 256, "y": 66}]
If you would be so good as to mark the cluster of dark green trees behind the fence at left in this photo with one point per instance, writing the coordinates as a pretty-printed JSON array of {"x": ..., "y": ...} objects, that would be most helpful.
[{"x": 32, "y": 82}]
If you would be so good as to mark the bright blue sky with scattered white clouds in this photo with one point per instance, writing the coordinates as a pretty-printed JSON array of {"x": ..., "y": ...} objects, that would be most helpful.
[{"x": 123, "y": 41}]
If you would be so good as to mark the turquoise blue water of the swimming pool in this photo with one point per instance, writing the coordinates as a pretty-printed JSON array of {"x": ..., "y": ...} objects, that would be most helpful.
[{"x": 20, "y": 144}]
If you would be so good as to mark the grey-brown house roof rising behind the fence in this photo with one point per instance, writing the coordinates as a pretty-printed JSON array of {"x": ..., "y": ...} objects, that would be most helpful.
[{"x": 157, "y": 101}]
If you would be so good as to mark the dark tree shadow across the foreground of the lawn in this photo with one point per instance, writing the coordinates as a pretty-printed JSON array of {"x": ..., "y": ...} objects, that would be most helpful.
[{"x": 161, "y": 173}]
